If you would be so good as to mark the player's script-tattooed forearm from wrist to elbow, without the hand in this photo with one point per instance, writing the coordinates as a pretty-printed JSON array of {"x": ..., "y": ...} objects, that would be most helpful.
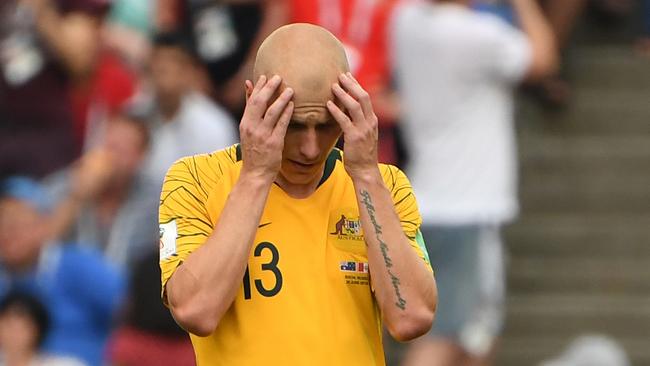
[{"x": 404, "y": 286}]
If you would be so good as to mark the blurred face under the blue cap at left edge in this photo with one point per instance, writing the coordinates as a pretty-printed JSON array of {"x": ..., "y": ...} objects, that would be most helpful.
[{"x": 22, "y": 232}]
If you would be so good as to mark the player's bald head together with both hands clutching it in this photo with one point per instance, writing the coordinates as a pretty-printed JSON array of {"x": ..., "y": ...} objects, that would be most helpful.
[{"x": 315, "y": 89}]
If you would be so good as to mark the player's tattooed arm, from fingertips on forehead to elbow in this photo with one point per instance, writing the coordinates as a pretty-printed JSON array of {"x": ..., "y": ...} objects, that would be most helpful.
[{"x": 404, "y": 287}]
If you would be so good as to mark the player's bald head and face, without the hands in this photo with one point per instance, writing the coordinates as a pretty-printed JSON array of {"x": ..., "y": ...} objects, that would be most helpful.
[{"x": 309, "y": 60}]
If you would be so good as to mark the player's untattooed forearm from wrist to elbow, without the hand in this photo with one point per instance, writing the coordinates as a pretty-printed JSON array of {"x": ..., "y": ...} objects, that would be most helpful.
[{"x": 205, "y": 285}]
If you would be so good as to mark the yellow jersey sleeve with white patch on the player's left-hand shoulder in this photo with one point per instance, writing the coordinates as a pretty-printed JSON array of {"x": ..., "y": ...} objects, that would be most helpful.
[{"x": 183, "y": 218}]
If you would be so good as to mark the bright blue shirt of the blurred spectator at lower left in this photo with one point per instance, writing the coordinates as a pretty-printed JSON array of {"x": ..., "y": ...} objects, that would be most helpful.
[{"x": 81, "y": 292}]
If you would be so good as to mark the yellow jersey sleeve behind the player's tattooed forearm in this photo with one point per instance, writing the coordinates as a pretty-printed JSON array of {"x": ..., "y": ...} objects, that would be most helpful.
[{"x": 407, "y": 210}]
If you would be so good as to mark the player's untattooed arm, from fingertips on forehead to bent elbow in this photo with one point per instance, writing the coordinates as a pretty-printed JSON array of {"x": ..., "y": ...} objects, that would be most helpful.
[{"x": 202, "y": 289}]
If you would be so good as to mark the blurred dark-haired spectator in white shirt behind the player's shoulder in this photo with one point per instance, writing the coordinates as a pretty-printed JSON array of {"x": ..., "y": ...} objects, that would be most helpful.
[{"x": 184, "y": 122}]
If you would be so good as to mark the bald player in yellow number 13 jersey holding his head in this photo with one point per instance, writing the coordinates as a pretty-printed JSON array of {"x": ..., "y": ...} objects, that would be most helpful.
[{"x": 282, "y": 249}]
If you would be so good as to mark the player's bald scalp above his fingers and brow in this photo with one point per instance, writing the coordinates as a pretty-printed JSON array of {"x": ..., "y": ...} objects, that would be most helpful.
[{"x": 307, "y": 57}]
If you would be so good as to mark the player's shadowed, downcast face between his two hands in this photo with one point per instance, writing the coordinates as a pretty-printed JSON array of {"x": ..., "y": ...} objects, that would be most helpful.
[{"x": 311, "y": 135}]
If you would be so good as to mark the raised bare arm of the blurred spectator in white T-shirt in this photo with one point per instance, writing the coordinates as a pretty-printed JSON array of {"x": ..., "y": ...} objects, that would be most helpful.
[{"x": 544, "y": 61}]
